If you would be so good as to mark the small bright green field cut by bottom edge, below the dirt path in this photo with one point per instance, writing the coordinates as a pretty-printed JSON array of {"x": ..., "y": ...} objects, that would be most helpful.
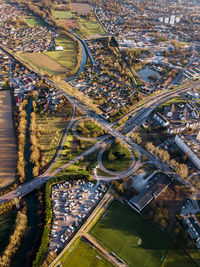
[{"x": 83, "y": 255}]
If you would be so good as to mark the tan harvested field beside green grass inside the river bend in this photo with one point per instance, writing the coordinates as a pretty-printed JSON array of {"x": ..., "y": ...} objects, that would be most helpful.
[{"x": 43, "y": 63}]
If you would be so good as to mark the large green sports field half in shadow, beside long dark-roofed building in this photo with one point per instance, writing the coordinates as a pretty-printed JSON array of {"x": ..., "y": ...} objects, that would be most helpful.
[{"x": 131, "y": 237}]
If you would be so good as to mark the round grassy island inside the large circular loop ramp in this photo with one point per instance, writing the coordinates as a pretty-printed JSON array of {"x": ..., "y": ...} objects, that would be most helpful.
[{"x": 122, "y": 161}]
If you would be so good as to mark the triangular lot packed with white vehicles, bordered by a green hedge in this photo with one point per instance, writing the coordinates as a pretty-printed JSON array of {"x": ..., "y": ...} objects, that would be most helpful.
[{"x": 72, "y": 202}]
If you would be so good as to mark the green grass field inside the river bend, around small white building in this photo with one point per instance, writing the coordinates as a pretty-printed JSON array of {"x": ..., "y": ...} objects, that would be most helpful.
[{"x": 67, "y": 57}]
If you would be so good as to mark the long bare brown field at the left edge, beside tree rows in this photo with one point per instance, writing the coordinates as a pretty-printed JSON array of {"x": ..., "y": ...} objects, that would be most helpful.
[{"x": 8, "y": 152}]
